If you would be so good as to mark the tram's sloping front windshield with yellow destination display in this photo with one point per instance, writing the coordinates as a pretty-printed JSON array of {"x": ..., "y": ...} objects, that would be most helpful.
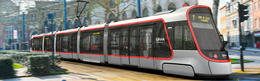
[{"x": 204, "y": 29}]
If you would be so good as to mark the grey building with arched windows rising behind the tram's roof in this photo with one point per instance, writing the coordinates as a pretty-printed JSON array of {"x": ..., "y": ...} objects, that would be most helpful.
[{"x": 96, "y": 12}]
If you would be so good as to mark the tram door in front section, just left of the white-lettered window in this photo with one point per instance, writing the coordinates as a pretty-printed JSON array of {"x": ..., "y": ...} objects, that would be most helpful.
[{"x": 146, "y": 34}]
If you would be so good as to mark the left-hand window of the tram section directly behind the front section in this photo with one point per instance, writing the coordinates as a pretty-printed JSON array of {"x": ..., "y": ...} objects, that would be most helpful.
[{"x": 84, "y": 42}]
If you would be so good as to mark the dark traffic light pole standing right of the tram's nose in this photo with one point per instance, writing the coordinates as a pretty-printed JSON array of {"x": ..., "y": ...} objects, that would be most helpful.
[{"x": 243, "y": 15}]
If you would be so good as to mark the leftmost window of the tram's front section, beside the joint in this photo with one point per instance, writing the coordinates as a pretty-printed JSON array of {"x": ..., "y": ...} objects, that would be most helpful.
[{"x": 114, "y": 42}]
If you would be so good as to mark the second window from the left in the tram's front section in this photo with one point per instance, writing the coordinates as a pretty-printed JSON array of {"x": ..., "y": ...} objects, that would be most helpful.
[{"x": 124, "y": 41}]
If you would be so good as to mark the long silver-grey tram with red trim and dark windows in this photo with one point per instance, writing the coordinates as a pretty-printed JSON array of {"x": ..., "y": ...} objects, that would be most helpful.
[{"x": 184, "y": 42}]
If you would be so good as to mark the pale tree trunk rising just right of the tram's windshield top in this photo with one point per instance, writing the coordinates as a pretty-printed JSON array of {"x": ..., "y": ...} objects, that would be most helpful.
[{"x": 215, "y": 10}]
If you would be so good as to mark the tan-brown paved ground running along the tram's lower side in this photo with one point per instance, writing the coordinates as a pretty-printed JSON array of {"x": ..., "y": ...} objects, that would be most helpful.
[{"x": 113, "y": 73}]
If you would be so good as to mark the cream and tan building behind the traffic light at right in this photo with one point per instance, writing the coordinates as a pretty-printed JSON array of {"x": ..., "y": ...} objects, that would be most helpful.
[{"x": 229, "y": 23}]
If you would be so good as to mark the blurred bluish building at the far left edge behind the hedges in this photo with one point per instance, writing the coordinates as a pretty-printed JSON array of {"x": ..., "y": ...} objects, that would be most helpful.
[{"x": 8, "y": 24}]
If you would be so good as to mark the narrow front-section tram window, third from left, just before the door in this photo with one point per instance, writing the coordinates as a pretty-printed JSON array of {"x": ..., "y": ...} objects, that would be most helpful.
[{"x": 134, "y": 41}]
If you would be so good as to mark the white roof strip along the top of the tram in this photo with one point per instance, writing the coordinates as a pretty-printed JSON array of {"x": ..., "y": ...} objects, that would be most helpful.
[{"x": 178, "y": 15}]
